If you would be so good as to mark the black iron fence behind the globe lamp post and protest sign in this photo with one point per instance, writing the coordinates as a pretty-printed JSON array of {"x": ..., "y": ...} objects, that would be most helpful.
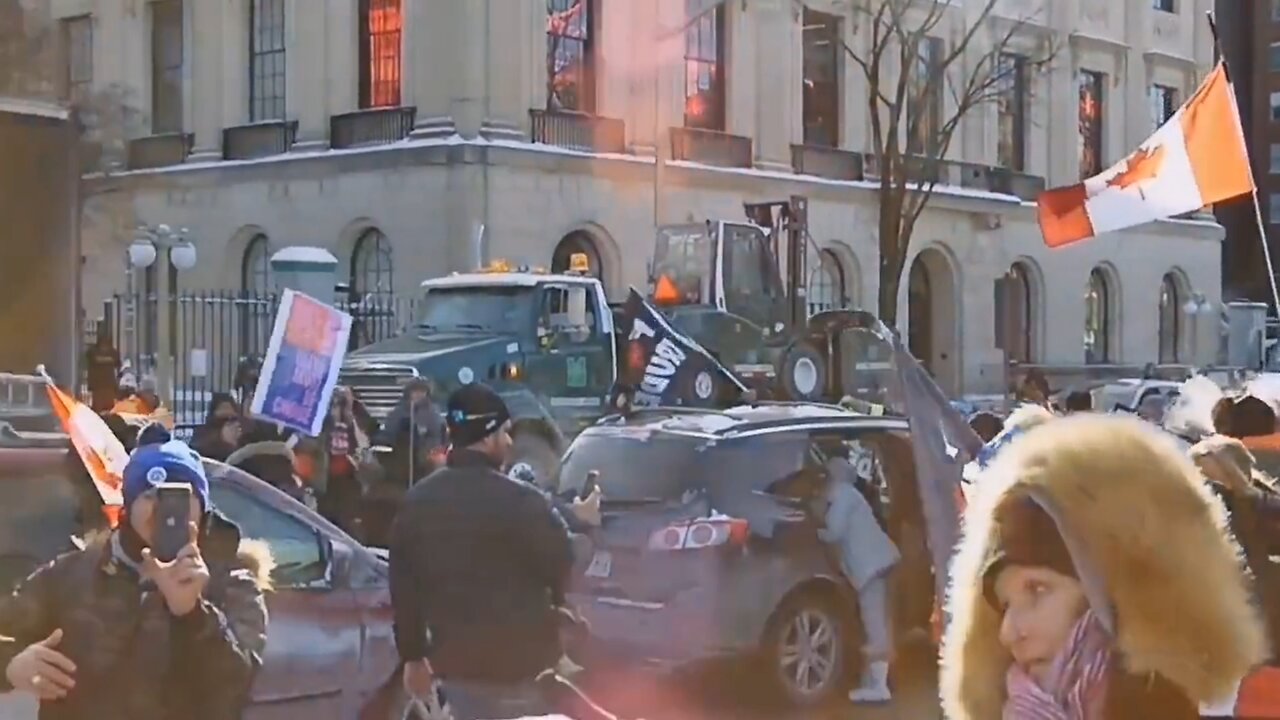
[{"x": 212, "y": 332}]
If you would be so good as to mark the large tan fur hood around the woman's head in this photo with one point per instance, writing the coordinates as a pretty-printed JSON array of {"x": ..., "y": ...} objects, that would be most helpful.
[{"x": 1149, "y": 540}]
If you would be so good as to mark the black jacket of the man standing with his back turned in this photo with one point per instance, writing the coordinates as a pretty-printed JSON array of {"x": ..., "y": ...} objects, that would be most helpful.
[{"x": 479, "y": 568}]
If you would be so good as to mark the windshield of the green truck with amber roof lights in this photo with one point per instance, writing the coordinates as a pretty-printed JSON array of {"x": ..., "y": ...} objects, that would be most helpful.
[{"x": 479, "y": 308}]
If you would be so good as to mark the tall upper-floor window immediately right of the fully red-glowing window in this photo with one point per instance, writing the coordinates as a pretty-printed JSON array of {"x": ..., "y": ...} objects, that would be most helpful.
[{"x": 570, "y": 56}]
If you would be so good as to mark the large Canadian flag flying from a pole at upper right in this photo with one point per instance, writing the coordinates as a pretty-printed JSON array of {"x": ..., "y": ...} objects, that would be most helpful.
[{"x": 1196, "y": 160}]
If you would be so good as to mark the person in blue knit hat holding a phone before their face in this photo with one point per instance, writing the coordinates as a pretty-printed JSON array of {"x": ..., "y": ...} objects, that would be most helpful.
[{"x": 161, "y": 619}]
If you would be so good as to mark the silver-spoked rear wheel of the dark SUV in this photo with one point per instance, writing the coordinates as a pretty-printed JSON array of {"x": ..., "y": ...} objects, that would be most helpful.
[{"x": 807, "y": 651}]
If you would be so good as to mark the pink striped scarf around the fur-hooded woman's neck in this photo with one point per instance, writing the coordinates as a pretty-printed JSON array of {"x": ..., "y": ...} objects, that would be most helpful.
[{"x": 1077, "y": 685}]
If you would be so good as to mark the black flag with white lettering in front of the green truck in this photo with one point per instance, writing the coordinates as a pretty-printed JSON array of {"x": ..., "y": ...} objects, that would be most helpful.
[{"x": 662, "y": 367}]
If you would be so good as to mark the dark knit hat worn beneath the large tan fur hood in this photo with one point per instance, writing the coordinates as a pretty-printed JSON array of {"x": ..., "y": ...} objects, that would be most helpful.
[{"x": 1025, "y": 535}]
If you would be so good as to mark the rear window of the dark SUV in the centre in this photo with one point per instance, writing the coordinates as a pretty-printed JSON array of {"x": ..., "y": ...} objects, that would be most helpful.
[{"x": 636, "y": 466}]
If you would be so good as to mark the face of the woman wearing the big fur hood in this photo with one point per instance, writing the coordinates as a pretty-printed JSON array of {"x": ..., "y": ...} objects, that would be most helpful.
[{"x": 1040, "y": 610}]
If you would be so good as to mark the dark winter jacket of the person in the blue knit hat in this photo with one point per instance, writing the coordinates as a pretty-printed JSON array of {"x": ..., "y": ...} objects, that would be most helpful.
[{"x": 135, "y": 660}]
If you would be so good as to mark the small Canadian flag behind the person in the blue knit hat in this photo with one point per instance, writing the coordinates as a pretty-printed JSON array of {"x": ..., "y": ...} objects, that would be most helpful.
[{"x": 100, "y": 450}]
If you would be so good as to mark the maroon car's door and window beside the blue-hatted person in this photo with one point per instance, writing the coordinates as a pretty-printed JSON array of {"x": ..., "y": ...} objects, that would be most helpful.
[{"x": 314, "y": 626}]
